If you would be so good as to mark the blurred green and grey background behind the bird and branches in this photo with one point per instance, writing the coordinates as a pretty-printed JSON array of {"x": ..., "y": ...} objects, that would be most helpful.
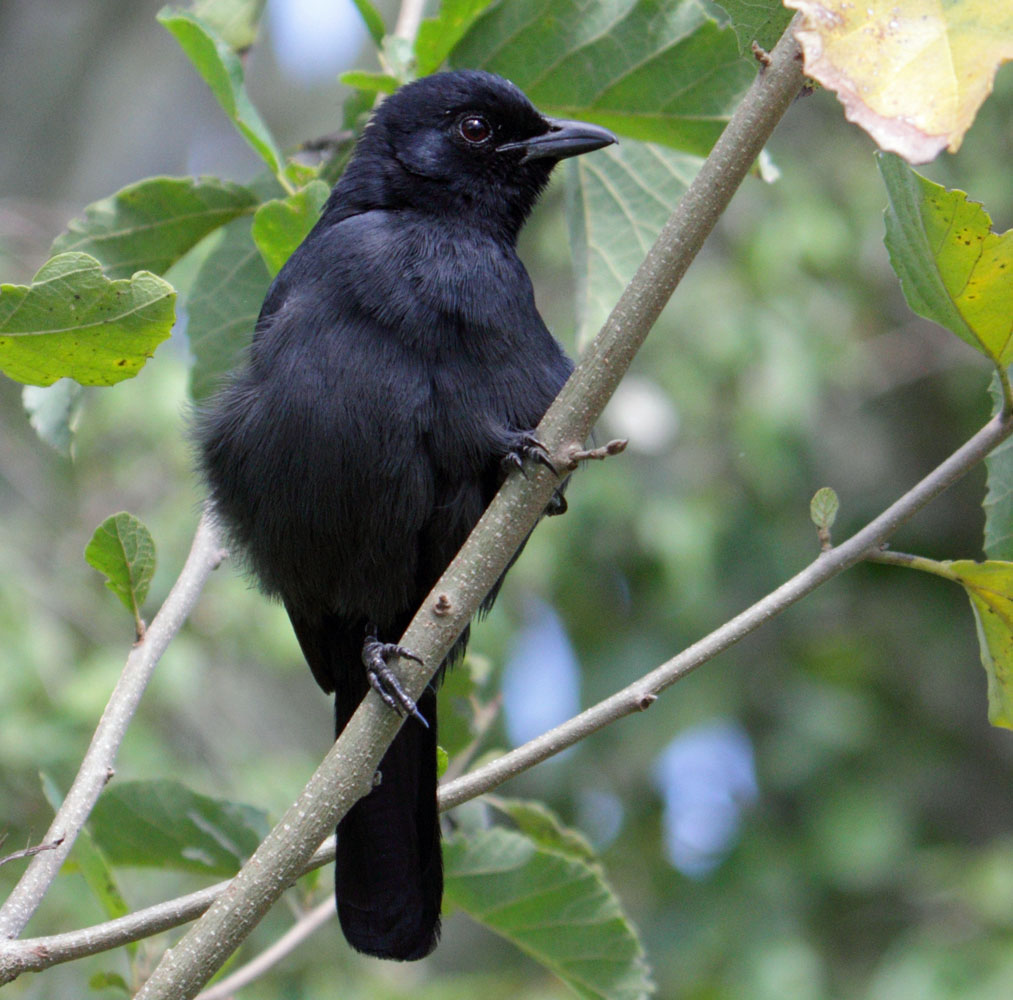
[{"x": 822, "y": 812}]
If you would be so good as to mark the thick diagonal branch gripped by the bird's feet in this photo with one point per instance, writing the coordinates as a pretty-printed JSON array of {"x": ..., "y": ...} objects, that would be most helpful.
[{"x": 346, "y": 774}]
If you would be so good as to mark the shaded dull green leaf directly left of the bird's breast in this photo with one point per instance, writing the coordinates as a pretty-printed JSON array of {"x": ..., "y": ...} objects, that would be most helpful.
[{"x": 224, "y": 304}]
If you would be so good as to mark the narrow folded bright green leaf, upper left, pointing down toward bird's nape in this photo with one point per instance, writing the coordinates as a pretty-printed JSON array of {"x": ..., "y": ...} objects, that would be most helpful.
[{"x": 223, "y": 72}]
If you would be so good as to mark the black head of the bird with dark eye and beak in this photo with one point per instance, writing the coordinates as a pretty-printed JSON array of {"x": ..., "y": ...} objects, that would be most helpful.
[{"x": 467, "y": 145}]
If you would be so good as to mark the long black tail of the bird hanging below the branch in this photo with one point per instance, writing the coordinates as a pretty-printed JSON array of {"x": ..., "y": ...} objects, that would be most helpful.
[{"x": 388, "y": 876}]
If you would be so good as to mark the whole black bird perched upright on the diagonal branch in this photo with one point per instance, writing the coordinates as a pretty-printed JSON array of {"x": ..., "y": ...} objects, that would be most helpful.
[{"x": 398, "y": 370}]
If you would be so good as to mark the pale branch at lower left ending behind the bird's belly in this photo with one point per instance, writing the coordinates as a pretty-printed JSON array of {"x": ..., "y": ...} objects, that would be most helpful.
[{"x": 99, "y": 763}]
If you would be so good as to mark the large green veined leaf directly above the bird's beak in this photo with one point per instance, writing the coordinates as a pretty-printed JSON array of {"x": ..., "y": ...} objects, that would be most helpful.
[{"x": 655, "y": 70}]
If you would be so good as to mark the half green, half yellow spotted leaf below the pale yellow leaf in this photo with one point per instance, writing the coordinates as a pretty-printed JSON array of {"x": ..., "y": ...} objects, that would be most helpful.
[{"x": 954, "y": 270}]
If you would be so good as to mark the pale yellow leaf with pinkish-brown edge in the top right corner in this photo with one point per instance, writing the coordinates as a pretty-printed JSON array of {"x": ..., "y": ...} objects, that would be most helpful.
[{"x": 913, "y": 73}]
